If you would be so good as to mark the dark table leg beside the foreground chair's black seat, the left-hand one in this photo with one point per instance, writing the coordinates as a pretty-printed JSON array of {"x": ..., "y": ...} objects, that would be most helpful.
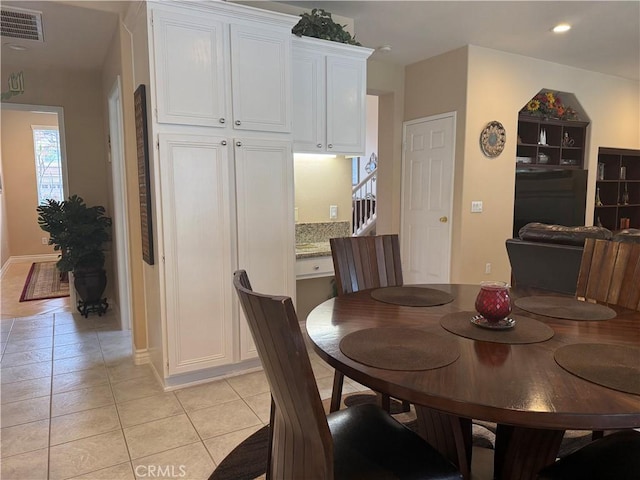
[{"x": 449, "y": 434}]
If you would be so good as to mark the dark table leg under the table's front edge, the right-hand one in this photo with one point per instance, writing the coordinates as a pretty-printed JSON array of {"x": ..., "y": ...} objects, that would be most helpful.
[{"x": 521, "y": 452}]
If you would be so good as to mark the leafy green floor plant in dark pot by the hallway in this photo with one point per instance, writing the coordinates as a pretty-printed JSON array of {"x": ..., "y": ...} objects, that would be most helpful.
[{"x": 79, "y": 233}]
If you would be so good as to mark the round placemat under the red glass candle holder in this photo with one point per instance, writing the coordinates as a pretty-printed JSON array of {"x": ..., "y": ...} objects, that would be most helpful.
[{"x": 526, "y": 330}]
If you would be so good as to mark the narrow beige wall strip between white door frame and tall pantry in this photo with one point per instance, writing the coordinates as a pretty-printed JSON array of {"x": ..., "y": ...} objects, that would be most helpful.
[{"x": 118, "y": 63}]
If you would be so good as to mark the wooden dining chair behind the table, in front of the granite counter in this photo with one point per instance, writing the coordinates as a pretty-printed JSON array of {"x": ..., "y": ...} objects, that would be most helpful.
[{"x": 360, "y": 263}]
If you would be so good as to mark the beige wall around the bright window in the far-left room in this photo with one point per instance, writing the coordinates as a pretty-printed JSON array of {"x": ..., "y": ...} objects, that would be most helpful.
[{"x": 23, "y": 234}]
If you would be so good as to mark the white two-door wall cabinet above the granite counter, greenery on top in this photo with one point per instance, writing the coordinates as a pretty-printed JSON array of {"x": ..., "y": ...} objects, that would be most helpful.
[{"x": 329, "y": 95}]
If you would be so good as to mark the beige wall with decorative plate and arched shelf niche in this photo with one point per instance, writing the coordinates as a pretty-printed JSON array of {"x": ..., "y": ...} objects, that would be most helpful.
[{"x": 484, "y": 85}]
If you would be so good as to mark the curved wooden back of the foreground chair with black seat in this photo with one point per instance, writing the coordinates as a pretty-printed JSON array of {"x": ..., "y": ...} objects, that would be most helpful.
[{"x": 301, "y": 440}]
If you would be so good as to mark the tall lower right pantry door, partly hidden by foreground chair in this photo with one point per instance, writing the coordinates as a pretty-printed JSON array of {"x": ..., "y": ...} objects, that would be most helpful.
[{"x": 266, "y": 245}]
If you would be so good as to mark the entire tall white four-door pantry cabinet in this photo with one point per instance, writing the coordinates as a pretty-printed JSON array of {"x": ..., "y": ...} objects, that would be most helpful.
[{"x": 219, "y": 106}]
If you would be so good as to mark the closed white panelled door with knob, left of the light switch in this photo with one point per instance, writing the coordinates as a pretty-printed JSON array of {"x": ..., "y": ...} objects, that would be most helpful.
[{"x": 427, "y": 195}]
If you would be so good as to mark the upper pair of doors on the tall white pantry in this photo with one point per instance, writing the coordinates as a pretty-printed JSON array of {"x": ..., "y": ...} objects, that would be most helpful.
[{"x": 219, "y": 71}]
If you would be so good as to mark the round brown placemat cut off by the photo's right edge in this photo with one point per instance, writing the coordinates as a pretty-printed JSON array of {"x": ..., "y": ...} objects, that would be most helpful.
[{"x": 612, "y": 366}]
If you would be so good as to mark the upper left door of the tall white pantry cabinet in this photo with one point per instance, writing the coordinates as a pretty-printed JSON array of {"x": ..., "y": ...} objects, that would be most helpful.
[{"x": 189, "y": 55}]
